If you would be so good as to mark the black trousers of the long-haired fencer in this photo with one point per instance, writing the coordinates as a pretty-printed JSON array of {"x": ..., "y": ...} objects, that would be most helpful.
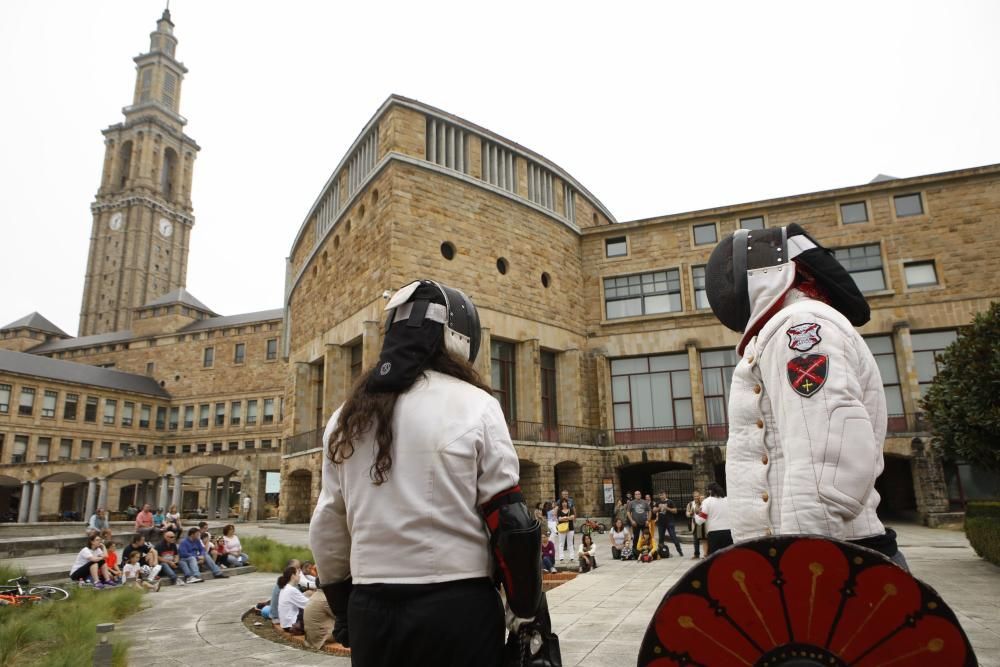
[{"x": 452, "y": 624}]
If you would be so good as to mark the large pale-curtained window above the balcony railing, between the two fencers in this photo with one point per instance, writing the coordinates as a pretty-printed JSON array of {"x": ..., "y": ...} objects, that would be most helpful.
[{"x": 652, "y": 393}]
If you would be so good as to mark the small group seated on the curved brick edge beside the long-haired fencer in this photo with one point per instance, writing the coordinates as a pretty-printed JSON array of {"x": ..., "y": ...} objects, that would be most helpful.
[{"x": 299, "y": 607}]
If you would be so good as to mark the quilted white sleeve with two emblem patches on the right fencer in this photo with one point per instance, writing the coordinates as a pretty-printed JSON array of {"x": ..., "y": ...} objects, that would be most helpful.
[{"x": 826, "y": 436}]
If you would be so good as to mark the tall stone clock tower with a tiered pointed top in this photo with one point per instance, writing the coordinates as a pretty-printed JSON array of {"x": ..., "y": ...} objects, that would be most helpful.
[{"x": 142, "y": 213}]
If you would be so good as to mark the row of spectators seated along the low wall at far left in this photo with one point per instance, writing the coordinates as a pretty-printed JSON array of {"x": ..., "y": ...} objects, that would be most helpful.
[{"x": 176, "y": 556}]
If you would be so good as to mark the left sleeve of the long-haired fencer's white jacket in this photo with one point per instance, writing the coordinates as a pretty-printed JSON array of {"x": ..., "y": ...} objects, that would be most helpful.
[{"x": 329, "y": 537}]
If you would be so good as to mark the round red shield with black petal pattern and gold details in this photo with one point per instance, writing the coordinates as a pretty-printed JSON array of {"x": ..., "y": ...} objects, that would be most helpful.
[{"x": 802, "y": 602}]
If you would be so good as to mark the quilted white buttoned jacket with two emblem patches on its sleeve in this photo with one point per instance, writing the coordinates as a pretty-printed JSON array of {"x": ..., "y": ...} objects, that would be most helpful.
[{"x": 807, "y": 423}]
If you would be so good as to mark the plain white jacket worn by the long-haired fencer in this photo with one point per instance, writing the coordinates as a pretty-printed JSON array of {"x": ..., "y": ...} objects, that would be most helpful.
[{"x": 451, "y": 453}]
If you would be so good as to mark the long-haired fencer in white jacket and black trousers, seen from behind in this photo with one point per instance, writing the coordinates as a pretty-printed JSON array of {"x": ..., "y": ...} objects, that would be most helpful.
[{"x": 452, "y": 466}]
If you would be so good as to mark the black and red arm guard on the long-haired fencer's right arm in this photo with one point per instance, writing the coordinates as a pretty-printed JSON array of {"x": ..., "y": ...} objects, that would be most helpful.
[{"x": 516, "y": 542}]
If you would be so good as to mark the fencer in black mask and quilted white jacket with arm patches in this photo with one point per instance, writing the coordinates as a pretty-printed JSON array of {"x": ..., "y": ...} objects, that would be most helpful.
[{"x": 807, "y": 406}]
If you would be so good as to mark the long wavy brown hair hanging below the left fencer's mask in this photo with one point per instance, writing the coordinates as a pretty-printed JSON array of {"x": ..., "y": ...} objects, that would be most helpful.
[{"x": 364, "y": 407}]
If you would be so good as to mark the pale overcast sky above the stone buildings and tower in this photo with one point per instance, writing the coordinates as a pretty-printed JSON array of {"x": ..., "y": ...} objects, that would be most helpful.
[{"x": 656, "y": 108}]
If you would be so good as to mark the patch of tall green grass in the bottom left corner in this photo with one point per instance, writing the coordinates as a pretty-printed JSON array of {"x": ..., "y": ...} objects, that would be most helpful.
[{"x": 64, "y": 633}]
